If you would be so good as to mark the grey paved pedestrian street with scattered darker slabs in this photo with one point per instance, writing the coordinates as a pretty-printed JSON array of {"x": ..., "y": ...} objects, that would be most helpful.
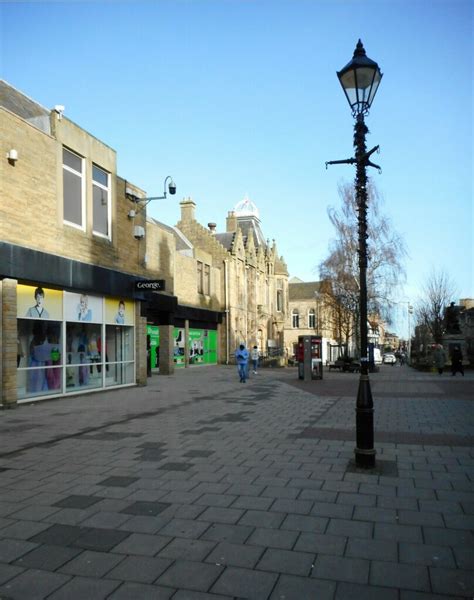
[{"x": 199, "y": 487}]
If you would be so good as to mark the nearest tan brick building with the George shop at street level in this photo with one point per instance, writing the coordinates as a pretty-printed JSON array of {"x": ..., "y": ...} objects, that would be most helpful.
[{"x": 73, "y": 319}]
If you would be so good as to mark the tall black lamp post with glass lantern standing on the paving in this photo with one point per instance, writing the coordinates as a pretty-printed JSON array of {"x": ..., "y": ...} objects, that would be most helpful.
[{"x": 360, "y": 79}]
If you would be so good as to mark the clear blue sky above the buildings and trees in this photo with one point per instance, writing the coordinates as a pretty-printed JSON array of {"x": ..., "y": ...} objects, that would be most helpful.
[{"x": 235, "y": 97}]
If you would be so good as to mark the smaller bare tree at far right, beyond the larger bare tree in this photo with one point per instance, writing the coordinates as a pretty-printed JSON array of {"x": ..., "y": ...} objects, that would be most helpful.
[{"x": 438, "y": 292}]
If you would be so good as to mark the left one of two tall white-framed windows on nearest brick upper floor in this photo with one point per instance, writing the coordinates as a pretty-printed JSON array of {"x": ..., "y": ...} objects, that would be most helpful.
[{"x": 73, "y": 189}]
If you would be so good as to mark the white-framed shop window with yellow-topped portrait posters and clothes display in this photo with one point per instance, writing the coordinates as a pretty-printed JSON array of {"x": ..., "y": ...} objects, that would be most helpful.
[{"x": 72, "y": 342}]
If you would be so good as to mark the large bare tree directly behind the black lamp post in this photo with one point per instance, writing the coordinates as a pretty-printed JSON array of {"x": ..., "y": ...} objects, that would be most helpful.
[{"x": 385, "y": 271}]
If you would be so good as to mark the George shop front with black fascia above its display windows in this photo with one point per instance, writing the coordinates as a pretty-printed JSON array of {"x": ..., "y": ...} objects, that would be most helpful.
[{"x": 80, "y": 328}]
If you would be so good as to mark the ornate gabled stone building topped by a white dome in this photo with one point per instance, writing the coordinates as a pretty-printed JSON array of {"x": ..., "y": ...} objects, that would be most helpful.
[{"x": 253, "y": 283}]
